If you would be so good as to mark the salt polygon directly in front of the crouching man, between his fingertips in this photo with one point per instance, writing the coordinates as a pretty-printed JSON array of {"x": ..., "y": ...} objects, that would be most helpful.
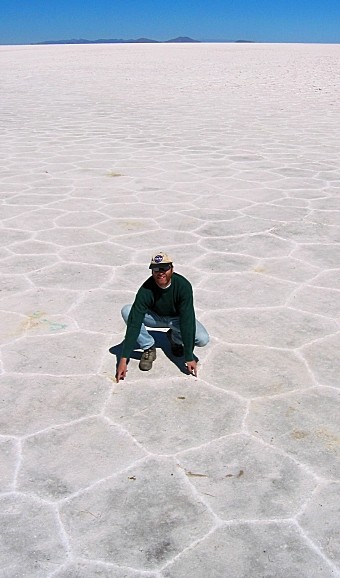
[{"x": 191, "y": 415}]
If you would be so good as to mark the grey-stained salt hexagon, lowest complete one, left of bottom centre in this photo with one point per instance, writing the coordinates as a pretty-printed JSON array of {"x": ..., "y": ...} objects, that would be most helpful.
[{"x": 141, "y": 518}]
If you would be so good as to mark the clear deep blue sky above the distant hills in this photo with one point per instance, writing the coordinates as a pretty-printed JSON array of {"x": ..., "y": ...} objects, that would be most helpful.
[{"x": 26, "y": 21}]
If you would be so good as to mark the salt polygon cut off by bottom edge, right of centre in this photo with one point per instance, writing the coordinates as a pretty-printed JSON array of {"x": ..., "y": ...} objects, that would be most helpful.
[{"x": 256, "y": 550}]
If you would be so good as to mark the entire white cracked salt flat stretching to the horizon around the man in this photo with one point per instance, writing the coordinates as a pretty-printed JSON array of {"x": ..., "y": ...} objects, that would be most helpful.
[{"x": 235, "y": 174}]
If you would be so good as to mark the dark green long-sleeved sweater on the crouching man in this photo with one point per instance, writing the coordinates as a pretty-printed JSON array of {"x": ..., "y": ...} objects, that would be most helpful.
[{"x": 175, "y": 301}]
